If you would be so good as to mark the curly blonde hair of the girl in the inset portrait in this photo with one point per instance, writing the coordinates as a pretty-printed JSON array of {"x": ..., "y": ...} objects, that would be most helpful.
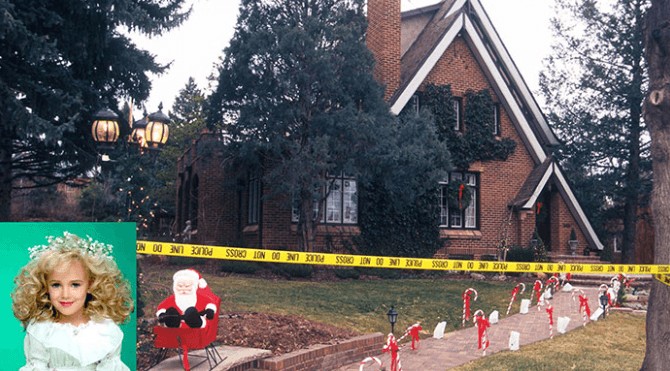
[{"x": 109, "y": 297}]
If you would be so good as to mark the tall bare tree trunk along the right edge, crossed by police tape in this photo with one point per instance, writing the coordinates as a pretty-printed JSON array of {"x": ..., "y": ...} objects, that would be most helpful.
[{"x": 657, "y": 116}]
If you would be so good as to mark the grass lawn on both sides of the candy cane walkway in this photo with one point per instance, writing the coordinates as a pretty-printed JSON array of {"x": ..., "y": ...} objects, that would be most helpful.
[{"x": 617, "y": 343}]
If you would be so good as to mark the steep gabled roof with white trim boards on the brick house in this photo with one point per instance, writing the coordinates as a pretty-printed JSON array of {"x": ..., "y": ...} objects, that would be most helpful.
[{"x": 467, "y": 18}]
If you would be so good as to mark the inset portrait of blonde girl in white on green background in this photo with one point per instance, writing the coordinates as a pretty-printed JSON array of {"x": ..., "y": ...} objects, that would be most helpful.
[{"x": 68, "y": 298}]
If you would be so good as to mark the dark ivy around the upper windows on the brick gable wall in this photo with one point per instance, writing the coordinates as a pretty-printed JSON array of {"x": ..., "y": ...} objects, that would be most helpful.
[{"x": 476, "y": 142}]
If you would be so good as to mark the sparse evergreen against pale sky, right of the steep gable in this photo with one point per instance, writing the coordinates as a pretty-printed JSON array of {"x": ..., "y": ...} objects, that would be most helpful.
[{"x": 594, "y": 85}]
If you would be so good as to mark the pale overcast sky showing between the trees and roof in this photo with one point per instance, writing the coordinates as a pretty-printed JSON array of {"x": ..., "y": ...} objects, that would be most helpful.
[{"x": 194, "y": 47}]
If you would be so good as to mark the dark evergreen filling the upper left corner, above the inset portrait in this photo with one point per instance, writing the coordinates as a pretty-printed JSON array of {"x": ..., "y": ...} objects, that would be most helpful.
[{"x": 61, "y": 61}]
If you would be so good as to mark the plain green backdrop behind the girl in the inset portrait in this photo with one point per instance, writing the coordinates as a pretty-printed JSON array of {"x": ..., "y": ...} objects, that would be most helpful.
[{"x": 16, "y": 238}]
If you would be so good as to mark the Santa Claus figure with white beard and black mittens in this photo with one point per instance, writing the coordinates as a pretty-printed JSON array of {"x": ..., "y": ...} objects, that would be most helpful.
[{"x": 192, "y": 303}]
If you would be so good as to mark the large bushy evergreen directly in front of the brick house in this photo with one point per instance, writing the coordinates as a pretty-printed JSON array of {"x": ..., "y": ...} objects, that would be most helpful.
[{"x": 297, "y": 98}]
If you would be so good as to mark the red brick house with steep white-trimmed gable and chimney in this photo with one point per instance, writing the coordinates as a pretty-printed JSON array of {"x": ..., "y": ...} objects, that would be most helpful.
[{"x": 452, "y": 42}]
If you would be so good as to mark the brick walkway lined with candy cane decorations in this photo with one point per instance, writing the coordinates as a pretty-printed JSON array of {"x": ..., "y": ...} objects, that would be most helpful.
[{"x": 460, "y": 347}]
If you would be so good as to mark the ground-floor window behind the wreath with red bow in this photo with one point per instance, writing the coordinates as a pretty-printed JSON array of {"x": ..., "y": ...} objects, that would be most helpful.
[{"x": 466, "y": 216}]
